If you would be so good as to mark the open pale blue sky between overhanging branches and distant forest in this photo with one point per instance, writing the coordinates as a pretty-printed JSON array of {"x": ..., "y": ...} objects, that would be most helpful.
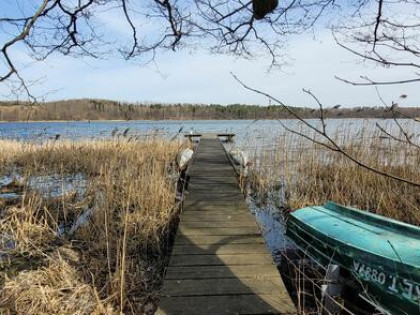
[{"x": 200, "y": 77}]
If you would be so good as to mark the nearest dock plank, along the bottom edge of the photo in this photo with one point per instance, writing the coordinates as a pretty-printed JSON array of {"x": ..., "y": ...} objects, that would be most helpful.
[{"x": 237, "y": 304}]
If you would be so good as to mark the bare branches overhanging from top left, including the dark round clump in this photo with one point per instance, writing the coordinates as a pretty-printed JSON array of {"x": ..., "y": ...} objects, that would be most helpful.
[{"x": 74, "y": 27}]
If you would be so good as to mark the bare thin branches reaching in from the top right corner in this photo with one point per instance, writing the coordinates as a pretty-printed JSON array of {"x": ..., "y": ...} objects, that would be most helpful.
[{"x": 386, "y": 33}]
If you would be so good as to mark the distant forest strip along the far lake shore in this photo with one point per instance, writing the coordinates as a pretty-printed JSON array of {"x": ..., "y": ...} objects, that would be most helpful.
[{"x": 91, "y": 109}]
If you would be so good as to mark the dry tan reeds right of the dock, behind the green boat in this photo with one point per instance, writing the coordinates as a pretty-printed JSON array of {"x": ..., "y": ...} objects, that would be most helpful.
[{"x": 314, "y": 175}]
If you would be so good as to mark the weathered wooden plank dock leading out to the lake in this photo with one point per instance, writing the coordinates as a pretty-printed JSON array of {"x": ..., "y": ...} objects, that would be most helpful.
[{"x": 219, "y": 263}]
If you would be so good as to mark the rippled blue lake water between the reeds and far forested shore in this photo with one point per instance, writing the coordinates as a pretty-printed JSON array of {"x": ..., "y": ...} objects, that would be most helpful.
[{"x": 249, "y": 132}]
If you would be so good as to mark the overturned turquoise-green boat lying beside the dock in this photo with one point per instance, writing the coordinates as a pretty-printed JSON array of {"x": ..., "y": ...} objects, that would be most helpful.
[{"x": 382, "y": 254}]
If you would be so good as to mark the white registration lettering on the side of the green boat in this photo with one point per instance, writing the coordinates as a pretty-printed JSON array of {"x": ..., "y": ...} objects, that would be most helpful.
[{"x": 392, "y": 283}]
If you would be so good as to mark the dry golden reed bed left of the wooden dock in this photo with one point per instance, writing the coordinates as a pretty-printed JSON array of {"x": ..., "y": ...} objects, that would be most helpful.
[{"x": 113, "y": 262}]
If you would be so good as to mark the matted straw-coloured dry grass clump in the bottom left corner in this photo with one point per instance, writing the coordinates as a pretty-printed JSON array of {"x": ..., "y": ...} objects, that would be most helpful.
[{"x": 56, "y": 288}]
